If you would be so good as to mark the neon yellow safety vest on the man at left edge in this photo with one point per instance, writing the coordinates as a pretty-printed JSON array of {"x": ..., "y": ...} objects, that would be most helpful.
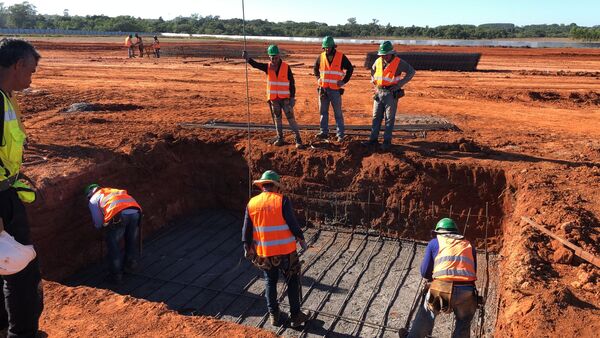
[{"x": 13, "y": 138}]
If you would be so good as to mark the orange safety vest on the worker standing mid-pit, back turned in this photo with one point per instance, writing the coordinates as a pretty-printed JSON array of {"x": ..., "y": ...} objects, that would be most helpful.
[{"x": 272, "y": 236}]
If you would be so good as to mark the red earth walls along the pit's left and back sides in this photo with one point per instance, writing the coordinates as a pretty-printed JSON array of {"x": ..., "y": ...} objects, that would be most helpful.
[{"x": 173, "y": 178}]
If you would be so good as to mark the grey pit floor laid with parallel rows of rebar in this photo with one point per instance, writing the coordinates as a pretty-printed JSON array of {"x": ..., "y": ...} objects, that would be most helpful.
[{"x": 356, "y": 284}]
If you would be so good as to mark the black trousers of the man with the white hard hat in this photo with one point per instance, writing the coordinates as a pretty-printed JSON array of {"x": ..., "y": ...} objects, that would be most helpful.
[{"x": 23, "y": 302}]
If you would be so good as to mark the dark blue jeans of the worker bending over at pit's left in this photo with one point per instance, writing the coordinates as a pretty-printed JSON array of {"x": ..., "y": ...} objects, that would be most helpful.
[{"x": 129, "y": 228}]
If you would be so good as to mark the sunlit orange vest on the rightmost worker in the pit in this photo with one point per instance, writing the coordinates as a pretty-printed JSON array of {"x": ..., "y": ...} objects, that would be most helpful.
[{"x": 454, "y": 261}]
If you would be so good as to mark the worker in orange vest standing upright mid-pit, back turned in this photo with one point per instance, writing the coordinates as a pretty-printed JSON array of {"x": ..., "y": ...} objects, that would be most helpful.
[{"x": 270, "y": 234}]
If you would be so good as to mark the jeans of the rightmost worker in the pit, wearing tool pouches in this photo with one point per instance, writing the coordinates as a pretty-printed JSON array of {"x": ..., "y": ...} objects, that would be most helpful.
[{"x": 464, "y": 305}]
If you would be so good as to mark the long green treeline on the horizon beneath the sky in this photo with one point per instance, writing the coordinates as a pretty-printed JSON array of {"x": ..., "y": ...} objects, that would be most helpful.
[{"x": 25, "y": 15}]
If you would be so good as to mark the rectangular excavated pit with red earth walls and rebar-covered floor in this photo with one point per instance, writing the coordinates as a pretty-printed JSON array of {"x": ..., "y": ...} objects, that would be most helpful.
[{"x": 366, "y": 217}]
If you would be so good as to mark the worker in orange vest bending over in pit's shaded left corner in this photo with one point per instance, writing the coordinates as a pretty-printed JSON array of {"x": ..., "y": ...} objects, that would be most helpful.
[{"x": 116, "y": 212}]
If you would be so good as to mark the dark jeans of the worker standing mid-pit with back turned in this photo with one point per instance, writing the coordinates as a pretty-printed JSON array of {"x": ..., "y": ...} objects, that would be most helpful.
[{"x": 293, "y": 283}]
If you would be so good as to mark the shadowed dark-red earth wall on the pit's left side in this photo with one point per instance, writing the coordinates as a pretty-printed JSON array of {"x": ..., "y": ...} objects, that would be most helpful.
[{"x": 170, "y": 179}]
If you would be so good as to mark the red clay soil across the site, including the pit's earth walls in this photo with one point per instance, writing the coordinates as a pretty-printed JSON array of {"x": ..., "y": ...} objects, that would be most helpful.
[{"x": 529, "y": 122}]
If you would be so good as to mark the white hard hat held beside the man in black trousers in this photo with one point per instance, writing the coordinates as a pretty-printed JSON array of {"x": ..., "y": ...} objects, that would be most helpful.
[{"x": 14, "y": 256}]
